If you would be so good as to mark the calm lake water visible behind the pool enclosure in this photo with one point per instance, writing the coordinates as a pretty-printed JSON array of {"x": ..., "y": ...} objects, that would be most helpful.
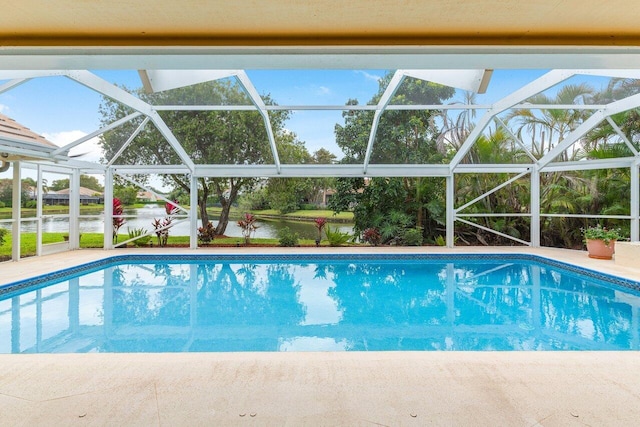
[{"x": 144, "y": 218}]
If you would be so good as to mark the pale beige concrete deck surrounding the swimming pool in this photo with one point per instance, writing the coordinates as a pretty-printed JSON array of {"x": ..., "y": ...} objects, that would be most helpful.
[{"x": 376, "y": 388}]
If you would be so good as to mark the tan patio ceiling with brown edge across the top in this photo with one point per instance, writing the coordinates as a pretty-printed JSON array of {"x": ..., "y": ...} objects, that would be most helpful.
[{"x": 319, "y": 23}]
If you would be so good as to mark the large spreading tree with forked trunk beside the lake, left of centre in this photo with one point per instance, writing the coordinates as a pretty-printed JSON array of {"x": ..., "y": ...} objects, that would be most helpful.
[{"x": 209, "y": 137}]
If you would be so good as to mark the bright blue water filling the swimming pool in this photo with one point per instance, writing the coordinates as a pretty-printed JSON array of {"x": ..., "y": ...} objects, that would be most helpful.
[{"x": 320, "y": 303}]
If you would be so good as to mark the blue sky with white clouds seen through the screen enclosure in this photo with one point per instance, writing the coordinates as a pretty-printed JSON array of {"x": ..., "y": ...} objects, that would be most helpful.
[{"x": 62, "y": 110}]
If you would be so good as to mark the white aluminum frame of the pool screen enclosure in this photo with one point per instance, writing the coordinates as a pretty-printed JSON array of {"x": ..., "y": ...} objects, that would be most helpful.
[{"x": 469, "y": 73}]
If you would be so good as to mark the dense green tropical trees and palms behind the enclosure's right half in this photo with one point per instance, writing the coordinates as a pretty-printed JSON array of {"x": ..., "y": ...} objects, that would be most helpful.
[{"x": 491, "y": 201}]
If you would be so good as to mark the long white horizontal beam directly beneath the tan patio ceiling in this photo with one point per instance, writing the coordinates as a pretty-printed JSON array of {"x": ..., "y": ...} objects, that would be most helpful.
[{"x": 319, "y": 57}]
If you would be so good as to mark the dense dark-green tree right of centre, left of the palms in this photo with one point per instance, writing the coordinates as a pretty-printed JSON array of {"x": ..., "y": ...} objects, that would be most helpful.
[{"x": 403, "y": 136}]
